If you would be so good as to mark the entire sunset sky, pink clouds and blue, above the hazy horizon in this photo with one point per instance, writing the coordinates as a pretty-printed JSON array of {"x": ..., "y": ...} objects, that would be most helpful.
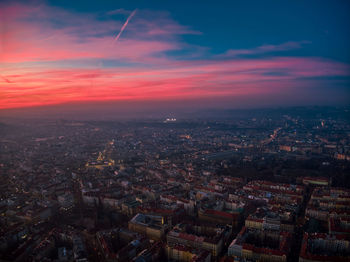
[{"x": 173, "y": 54}]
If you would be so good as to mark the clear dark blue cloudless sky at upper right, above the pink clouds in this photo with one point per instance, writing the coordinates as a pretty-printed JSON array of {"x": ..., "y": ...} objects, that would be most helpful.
[{"x": 248, "y": 24}]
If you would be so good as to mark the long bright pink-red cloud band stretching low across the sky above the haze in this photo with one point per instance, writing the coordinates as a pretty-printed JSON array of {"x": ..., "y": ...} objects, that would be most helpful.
[{"x": 190, "y": 80}]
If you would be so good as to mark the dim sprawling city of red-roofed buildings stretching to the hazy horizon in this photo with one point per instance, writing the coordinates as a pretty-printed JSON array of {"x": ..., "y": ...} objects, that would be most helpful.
[{"x": 272, "y": 187}]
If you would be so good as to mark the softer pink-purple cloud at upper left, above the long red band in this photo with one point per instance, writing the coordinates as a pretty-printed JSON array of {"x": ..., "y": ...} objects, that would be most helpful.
[{"x": 79, "y": 38}]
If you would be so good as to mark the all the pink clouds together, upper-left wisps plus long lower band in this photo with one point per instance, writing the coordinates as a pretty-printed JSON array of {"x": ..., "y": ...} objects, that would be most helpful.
[{"x": 28, "y": 45}]
